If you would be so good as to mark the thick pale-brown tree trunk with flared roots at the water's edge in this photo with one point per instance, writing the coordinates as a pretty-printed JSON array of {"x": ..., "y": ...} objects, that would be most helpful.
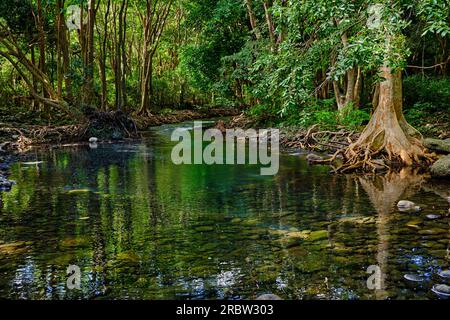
[{"x": 387, "y": 135}]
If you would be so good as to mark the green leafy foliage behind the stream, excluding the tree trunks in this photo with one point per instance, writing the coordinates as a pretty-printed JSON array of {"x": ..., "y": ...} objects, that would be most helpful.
[{"x": 210, "y": 54}]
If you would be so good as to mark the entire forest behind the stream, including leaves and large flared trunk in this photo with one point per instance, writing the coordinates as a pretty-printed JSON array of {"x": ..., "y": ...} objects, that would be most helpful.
[{"x": 303, "y": 62}]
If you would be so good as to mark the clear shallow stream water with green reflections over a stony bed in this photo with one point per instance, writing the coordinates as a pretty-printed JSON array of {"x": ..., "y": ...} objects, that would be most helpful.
[{"x": 140, "y": 227}]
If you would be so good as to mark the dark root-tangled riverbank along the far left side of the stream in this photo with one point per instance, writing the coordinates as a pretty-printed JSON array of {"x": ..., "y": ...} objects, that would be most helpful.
[{"x": 104, "y": 126}]
